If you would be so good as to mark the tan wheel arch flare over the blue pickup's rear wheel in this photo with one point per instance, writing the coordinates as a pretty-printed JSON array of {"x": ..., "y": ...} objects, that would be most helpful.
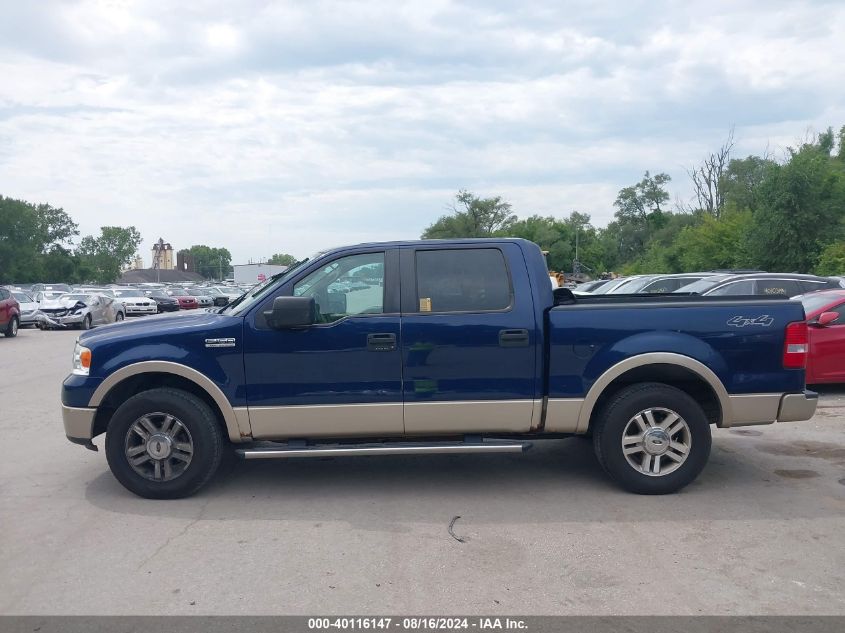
[{"x": 683, "y": 372}]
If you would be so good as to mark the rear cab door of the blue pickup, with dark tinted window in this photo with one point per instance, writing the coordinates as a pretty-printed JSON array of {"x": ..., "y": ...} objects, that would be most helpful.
[{"x": 469, "y": 339}]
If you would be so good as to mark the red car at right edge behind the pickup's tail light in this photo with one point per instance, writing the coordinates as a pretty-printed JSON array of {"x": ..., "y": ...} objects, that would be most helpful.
[{"x": 825, "y": 312}]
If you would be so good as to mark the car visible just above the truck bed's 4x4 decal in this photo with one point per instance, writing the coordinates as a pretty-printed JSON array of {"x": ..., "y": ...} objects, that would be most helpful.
[{"x": 768, "y": 284}]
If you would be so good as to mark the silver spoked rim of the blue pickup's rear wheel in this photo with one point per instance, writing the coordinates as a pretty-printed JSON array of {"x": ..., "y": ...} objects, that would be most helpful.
[{"x": 656, "y": 441}]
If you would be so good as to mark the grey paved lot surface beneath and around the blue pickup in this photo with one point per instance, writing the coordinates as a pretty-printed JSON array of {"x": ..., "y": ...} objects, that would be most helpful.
[{"x": 762, "y": 531}]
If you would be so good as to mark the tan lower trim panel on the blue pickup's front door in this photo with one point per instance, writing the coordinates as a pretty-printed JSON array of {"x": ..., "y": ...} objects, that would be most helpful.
[{"x": 334, "y": 420}]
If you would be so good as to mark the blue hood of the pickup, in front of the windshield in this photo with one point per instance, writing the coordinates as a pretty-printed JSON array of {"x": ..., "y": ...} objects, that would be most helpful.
[{"x": 154, "y": 326}]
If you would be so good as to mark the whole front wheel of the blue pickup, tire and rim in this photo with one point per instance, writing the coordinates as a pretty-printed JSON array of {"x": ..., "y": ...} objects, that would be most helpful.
[{"x": 164, "y": 444}]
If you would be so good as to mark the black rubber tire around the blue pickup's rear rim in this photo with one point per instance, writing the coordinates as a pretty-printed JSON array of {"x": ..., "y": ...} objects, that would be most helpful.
[{"x": 612, "y": 424}]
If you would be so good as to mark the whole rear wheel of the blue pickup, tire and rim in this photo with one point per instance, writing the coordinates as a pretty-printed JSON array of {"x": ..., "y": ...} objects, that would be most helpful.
[{"x": 652, "y": 438}]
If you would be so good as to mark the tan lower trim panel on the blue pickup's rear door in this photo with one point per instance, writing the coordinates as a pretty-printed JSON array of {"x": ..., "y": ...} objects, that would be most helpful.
[{"x": 476, "y": 416}]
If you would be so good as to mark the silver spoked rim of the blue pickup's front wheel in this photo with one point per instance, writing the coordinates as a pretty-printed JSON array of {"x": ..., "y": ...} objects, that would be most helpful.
[{"x": 159, "y": 447}]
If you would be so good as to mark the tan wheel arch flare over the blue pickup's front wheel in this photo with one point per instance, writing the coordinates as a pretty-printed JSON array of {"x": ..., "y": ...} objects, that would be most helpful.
[{"x": 136, "y": 377}]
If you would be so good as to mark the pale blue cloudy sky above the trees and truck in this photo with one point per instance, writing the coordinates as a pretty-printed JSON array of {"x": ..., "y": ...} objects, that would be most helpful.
[{"x": 291, "y": 126}]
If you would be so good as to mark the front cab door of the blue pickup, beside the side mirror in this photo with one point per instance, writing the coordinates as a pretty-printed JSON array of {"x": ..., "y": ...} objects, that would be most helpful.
[{"x": 341, "y": 376}]
